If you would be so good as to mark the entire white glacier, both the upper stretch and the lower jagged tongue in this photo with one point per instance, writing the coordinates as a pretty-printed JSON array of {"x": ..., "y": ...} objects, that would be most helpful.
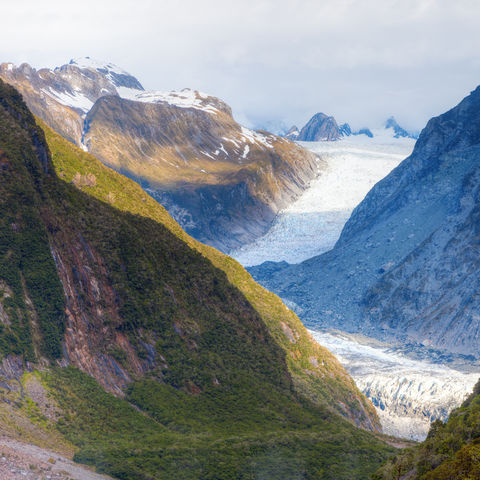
[{"x": 408, "y": 393}]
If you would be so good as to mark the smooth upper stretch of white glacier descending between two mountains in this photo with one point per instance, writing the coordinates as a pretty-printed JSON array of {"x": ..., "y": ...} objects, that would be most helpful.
[{"x": 312, "y": 224}]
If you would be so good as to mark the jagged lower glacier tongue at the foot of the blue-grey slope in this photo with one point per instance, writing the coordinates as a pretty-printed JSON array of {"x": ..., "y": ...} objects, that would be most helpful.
[{"x": 408, "y": 393}]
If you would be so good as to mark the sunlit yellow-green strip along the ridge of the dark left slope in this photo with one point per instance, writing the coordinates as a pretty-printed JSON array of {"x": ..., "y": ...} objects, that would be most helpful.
[{"x": 314, "y": 370}]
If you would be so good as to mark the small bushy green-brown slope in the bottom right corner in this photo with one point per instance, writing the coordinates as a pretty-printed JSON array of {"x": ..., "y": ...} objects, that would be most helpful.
[{"x": 450, "y": 452}]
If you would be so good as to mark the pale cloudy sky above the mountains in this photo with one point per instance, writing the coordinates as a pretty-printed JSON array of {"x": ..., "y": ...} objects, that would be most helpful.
[{"x": 276, "y": 62}]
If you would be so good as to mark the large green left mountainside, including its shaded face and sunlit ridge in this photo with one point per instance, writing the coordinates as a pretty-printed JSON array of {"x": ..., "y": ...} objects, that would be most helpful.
[{"x": 220, "y": 383}]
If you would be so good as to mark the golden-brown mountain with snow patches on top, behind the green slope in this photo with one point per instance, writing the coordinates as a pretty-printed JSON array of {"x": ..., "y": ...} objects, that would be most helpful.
[{"x": 222, "y": 182}]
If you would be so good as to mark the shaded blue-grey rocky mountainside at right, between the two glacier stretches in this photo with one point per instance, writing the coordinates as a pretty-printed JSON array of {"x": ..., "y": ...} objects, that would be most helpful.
[{"x": 405, "y": 267}]
